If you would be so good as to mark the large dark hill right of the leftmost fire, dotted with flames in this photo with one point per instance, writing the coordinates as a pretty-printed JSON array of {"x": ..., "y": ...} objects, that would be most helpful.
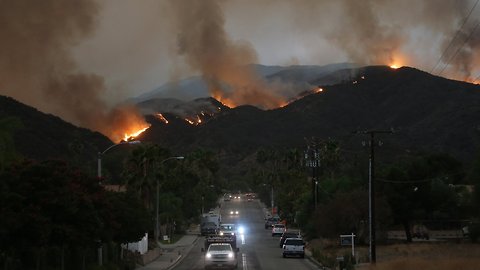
[{"x": 428, "y": 113}]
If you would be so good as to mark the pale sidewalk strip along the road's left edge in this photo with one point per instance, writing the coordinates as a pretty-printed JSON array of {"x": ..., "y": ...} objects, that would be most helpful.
[{"x": 171, "y": 254}]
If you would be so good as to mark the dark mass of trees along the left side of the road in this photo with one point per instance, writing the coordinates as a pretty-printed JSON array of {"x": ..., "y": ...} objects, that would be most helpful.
[{"x": 55, "y": 216}]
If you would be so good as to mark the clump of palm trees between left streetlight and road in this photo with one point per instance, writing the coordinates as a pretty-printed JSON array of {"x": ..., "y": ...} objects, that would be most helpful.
[{"x": 183, "y": 185}]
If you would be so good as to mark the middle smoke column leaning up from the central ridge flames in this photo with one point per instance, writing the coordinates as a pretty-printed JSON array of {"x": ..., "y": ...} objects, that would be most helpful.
[{"x": 223, "y": 63}]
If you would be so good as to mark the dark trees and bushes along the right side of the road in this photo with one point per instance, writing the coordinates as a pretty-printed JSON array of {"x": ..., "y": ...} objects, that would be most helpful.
[{"x": 428, "y": 189}]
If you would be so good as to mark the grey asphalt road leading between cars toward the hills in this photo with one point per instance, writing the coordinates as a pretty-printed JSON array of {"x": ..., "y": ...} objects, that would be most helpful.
[{"x": 258, "y": 249}]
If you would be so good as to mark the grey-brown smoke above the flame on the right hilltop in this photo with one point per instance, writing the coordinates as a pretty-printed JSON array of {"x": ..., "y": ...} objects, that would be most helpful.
[{"x": 409, "y": 32}]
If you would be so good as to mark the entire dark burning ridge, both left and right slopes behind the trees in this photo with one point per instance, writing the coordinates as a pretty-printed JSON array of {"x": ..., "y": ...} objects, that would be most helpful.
[{"x": 428, "y": 113}]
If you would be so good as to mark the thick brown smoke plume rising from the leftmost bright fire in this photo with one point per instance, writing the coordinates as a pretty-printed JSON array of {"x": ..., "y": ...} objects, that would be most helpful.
[{"x": 36, "y": 66}]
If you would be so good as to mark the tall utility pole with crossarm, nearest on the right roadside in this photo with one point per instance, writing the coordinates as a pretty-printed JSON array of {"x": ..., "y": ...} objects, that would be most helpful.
[{"x": 371, "y": 191}]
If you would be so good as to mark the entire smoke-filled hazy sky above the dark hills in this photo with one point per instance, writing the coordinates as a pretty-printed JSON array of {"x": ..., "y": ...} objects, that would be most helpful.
[{"x": 80, "y": 59}]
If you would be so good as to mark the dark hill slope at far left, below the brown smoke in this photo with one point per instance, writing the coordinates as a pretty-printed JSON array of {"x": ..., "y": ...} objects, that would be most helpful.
[{"x": 45, "y": 136}]
